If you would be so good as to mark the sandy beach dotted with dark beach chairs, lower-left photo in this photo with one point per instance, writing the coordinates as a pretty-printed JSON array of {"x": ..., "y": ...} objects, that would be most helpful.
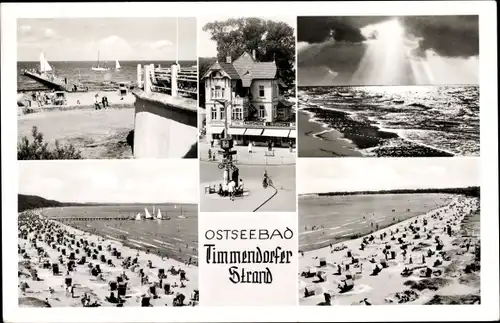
[{"x": 140, "y": 278}]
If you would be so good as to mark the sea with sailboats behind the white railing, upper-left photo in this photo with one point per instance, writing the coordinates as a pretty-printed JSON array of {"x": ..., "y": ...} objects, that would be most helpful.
[{"x": 82, "y": 72}]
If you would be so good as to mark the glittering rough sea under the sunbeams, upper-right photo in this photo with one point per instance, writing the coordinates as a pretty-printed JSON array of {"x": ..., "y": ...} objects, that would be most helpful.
[{"x": 441, "y": 117}]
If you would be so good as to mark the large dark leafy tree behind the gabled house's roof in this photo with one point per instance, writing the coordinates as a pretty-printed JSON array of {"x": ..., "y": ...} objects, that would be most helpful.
[{"x": 270, "y": 40}]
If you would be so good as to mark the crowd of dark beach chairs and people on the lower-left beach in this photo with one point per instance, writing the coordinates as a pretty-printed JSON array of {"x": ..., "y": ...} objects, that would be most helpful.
[{"x": 43, "y": 235}]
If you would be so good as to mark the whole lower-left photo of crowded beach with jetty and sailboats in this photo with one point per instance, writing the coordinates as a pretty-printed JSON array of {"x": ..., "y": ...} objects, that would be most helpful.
[{"x": 117, "y": 234}]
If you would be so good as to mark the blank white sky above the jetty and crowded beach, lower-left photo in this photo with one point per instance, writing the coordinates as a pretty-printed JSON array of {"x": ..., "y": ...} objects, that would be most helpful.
[{"x": 152, "y": 181}]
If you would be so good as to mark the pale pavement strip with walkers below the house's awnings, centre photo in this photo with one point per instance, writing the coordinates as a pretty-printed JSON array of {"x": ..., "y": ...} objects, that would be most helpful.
[{"x": 282, "y": 156}]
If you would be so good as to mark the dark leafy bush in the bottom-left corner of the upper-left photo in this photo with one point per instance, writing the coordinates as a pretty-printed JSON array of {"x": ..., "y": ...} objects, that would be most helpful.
[{"x": 38, "y": 149}]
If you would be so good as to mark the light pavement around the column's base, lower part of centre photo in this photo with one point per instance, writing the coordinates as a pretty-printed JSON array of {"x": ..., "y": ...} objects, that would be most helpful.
[{"x": 280, "y": 198}]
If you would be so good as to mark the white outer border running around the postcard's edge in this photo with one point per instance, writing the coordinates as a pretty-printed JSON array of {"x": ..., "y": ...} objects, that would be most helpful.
[{"x": 489, "y": 308}]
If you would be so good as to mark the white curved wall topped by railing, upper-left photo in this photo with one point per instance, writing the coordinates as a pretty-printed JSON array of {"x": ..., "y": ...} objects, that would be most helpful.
[{"x": 166, "y": 112}]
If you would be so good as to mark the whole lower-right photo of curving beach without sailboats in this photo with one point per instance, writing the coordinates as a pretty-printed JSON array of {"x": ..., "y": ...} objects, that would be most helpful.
[{"x": 381, "y": 232}]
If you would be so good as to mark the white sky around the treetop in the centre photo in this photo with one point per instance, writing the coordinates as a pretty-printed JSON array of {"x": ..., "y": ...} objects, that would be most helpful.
[{"x": 208, "y": 47}]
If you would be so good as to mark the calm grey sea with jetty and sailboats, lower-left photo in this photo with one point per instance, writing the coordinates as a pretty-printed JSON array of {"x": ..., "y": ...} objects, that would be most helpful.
[{"x": 176, "y": 238}]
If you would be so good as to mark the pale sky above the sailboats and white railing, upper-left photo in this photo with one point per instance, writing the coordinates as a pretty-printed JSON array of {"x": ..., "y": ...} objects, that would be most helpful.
[{"x": 79, "y": 39}]
